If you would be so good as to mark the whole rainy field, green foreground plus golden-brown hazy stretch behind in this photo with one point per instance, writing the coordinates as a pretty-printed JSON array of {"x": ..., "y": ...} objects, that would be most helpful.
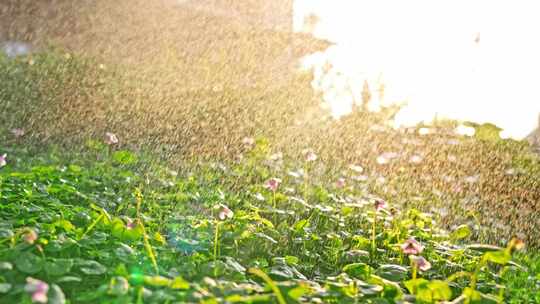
[{"x": 237, "y": 195}]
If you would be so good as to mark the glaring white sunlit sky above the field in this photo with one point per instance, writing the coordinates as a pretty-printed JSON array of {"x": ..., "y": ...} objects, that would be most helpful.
[{"x": 425, "y": 52}]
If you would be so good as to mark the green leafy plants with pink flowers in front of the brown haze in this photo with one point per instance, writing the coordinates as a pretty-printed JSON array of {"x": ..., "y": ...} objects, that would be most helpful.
[{"x": 98, "y": 227}]
